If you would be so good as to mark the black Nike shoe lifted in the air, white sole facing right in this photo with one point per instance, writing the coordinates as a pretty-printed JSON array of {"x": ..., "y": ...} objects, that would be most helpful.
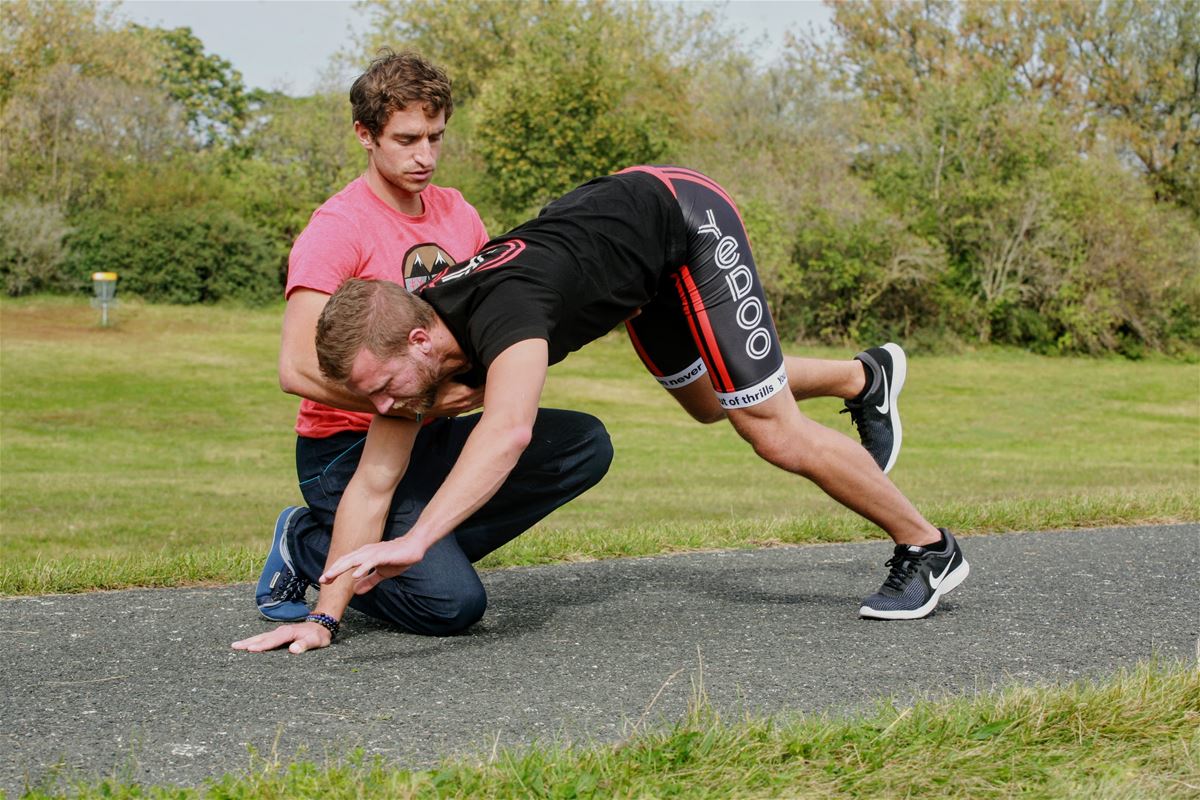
[{"x": 874, "y": 412}]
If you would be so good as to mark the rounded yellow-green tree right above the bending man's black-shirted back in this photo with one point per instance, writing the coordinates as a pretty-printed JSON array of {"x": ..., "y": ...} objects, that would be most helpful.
[{"x": 584, "y": 95}]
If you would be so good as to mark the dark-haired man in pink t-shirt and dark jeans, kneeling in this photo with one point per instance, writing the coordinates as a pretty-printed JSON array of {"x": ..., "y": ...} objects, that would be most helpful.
[{"x": 393, "y": 225}]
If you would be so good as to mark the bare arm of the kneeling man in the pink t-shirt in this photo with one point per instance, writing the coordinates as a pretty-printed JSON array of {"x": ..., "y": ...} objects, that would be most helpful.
[{"x": 301, "y": 372}]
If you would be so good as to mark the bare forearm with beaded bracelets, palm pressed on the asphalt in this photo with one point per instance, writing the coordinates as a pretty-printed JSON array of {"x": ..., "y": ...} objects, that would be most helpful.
[{"x": 361, "y": 520}]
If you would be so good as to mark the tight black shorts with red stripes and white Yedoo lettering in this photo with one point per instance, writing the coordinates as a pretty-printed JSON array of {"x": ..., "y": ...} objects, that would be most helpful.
[{"x": 711, "y": 315}]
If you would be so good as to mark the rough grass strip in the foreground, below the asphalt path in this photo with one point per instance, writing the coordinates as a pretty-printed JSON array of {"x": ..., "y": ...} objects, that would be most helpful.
[{"x": 1133, "y": 736}]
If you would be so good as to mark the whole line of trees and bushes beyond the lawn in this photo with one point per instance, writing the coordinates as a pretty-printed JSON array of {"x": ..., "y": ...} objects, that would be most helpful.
[{"x": 1016, "y": 172}]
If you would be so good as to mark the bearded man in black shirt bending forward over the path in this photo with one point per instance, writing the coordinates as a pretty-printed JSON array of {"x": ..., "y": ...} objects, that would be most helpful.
[{"x": 665, "y": 251}]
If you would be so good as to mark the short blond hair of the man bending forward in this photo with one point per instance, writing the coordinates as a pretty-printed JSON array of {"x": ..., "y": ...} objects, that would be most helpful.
[{"x": 376, "y": 316}]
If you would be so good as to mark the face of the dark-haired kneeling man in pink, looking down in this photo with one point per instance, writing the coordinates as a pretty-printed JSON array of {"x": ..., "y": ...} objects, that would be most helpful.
[{"x": 406, "y": 154}]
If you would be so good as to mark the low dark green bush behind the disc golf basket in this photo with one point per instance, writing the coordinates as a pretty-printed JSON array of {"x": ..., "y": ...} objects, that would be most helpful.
[{"x": 181, "y": 256}]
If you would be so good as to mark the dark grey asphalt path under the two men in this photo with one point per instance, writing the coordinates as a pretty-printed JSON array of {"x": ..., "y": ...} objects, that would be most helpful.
[{"x": 142, "y": 685}]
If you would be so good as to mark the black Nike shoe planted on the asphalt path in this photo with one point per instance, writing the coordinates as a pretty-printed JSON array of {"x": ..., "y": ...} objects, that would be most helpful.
[{"x": 919, "y": 578}]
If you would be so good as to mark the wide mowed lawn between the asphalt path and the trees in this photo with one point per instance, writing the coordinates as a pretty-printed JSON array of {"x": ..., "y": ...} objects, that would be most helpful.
[{"x": 159, "y": 452}]
